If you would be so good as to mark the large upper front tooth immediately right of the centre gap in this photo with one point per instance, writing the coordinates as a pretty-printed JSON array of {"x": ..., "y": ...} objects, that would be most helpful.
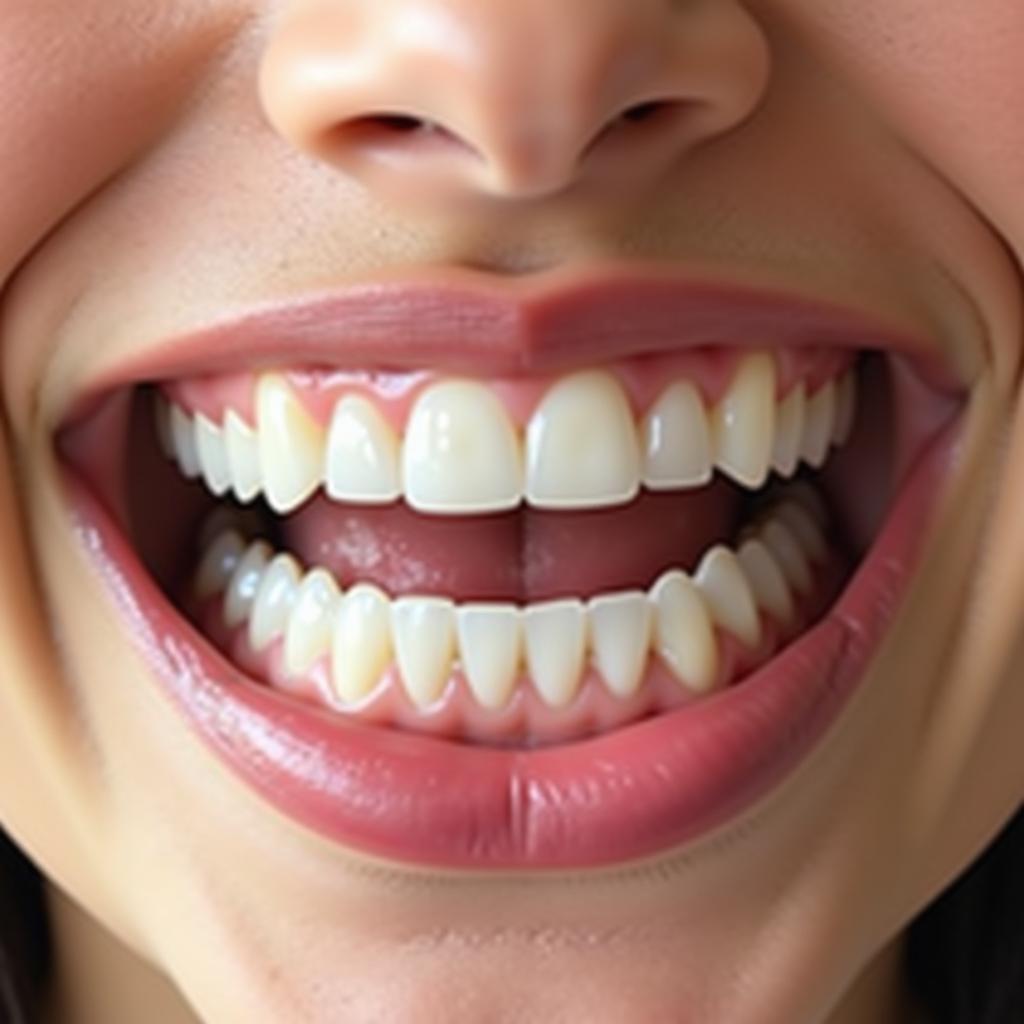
[{"x": 582, "y": 447}]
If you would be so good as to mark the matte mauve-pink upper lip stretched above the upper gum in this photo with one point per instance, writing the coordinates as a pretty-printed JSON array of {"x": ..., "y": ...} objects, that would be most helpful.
[{"x": 467, "y": 322}]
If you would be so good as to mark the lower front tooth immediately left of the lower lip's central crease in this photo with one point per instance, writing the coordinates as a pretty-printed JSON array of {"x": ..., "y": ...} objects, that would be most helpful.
[{"x": 491, "y": 651}]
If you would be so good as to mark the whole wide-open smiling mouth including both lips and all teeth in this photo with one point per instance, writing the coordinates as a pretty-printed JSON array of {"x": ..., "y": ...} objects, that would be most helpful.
[{"x": 557, "y": 595}]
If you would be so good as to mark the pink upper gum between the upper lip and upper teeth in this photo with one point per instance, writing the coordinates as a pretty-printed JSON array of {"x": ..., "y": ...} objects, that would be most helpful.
[{"x": 394, "y": 394}]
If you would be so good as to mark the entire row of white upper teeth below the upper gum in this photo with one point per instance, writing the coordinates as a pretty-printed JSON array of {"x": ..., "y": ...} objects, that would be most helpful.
[{"x": 461, "y": 453}]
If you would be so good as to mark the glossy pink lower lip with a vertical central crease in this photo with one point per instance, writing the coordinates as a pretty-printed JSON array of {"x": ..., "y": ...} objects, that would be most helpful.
[{"x": 630, "y": 794}]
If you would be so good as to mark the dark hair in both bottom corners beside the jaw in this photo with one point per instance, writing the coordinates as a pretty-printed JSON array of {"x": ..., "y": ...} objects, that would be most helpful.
[{"x": 965, "y": 956}]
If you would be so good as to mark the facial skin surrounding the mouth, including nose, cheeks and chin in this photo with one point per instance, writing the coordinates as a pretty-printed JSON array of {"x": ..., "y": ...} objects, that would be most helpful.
[{"x": 166, "y": 162}]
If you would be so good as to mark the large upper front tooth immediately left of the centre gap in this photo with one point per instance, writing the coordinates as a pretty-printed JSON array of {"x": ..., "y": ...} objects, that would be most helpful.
[{"x": 461, "y": 454}]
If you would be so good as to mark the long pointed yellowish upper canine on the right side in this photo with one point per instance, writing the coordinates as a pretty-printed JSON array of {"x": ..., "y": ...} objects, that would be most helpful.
[{"x": 744, "y": 422}]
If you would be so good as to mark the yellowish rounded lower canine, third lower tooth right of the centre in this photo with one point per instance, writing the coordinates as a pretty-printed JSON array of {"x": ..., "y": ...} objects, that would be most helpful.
[{"x": 685, "y": 635}]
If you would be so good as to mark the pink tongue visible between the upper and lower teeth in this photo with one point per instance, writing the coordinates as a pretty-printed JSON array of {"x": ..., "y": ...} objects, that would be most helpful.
[{"x": 522, "y": 557}]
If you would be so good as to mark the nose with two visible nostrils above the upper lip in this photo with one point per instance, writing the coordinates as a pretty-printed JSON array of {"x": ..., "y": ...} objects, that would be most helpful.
[{"x": 429, "y": 101}]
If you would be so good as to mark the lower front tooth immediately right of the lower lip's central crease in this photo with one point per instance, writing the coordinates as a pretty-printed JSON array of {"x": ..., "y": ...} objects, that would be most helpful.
[{"x": 557, "y": 642}]
